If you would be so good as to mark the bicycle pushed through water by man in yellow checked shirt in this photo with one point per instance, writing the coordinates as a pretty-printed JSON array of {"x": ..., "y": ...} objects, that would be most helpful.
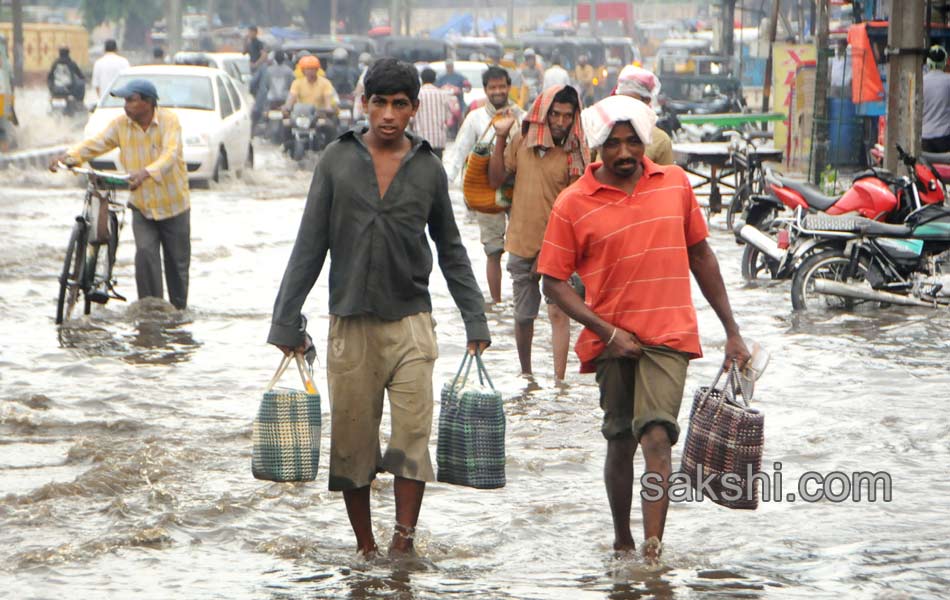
[{"x": 98, "y": 225}]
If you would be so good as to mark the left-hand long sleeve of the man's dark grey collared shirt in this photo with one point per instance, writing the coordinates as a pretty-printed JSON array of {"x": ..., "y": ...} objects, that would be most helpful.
[{"x": 306, "y": 262}]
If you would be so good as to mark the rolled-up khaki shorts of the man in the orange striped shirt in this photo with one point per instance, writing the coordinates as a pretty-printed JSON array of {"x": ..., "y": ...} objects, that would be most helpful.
[{"x": 636, "y": 393}]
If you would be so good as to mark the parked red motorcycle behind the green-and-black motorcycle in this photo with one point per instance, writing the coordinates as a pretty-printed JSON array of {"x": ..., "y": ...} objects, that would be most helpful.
[{"x": 775, "y": 247}]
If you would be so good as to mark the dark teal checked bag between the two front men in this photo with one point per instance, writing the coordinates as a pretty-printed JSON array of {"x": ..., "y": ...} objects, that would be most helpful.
[{"x": 471, "y": 446}]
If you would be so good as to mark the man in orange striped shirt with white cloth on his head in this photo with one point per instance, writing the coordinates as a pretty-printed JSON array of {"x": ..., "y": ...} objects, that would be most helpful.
[{"x": 633, "y": 231}]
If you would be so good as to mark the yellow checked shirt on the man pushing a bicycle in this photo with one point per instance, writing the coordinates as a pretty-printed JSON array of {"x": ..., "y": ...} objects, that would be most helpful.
[{"x": 158, "y": 150}]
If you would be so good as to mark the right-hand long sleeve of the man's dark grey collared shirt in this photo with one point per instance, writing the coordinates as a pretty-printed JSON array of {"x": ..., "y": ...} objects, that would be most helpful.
[{"x": 455, "y": 266}]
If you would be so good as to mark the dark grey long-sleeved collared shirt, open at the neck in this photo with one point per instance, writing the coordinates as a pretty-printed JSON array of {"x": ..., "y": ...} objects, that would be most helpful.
[{"x": 380, "y": 258}]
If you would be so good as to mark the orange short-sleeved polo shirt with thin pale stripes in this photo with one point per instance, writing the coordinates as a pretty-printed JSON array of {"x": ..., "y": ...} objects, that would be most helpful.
[{"x": 630, "y": 251}]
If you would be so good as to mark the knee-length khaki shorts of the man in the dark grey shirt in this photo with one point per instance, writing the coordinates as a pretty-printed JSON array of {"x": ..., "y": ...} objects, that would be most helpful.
[{"x": 367, "y": 356}]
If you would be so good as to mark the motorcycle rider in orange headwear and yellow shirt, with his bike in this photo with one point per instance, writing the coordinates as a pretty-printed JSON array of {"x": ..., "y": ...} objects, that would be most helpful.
[{"x": 311, "y": 106}]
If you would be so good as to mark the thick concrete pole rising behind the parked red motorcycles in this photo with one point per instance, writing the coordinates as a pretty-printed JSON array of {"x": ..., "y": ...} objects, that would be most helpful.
[{"x": 906, "y": 45}]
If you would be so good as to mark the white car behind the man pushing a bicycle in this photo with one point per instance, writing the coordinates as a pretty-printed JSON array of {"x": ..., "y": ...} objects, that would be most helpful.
[{"x": 215, "y": 117}]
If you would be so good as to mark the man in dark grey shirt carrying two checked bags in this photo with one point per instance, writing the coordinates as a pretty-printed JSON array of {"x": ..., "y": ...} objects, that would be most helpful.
[{"x": 382, "y": 335}]
